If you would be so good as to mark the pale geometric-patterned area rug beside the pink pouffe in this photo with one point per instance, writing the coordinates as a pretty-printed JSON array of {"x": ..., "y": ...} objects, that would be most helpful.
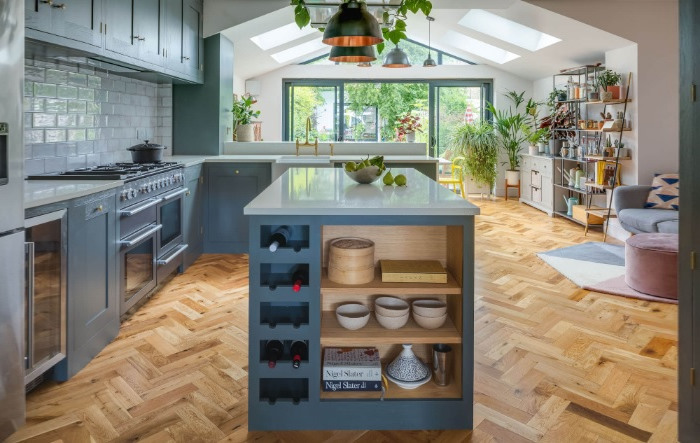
[{"x": 598, "y": 267}]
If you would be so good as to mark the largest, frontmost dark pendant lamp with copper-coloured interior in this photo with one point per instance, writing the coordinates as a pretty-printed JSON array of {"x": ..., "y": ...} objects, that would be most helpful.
[{"x": 352, "y": 25}]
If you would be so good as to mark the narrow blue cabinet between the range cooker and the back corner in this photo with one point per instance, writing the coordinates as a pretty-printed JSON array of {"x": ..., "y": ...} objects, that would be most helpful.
[{"x": 193, "y": 218}]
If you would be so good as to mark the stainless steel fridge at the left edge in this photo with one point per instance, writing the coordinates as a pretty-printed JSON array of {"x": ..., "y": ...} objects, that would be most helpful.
[{"x": 12, "y": 406}]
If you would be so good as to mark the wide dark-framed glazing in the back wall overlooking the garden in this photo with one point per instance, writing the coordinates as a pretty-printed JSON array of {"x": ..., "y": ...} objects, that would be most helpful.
[{"x": 351, "y": 110}]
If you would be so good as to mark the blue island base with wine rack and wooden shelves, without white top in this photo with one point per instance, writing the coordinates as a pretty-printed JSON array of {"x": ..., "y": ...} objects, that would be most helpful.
[{"x": 284, "y": 398}]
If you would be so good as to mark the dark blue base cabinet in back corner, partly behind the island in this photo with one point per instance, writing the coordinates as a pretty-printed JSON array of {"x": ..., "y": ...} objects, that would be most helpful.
[{"x": 231, "y": 186}]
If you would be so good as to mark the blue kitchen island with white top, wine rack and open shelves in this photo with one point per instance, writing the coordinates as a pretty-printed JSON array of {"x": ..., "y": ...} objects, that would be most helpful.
[{"x": 421, "y": 221}]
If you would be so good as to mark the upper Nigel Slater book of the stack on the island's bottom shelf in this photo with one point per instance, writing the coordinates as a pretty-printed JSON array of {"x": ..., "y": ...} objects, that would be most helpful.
[{"x": 351, "y": 364}]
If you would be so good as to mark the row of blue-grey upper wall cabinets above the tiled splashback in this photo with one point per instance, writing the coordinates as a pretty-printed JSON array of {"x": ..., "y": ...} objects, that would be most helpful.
[{"x": 163, "y": 36}]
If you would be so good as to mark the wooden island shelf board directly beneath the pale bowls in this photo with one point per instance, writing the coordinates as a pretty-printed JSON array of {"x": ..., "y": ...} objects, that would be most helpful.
[{"x": 332, "y": 334}]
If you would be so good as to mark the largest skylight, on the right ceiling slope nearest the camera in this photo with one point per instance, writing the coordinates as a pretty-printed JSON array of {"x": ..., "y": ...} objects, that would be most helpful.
[{"x": 507, "y": 30}]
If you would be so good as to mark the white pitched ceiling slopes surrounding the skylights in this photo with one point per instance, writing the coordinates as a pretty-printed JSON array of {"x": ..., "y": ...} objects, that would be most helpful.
[{"x": 580, "y": 43}]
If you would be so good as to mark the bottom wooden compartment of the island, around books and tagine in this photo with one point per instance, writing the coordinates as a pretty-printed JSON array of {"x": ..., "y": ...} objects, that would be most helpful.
[{"x": 428, "y": 391}]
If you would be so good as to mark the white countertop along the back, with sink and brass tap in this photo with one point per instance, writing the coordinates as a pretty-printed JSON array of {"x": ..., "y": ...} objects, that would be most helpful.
[{"x": 191, "y": 160}]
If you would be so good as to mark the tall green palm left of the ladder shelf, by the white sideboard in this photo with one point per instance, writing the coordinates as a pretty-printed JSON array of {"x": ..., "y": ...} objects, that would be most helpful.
[{"x": 508, "y": 126}]
